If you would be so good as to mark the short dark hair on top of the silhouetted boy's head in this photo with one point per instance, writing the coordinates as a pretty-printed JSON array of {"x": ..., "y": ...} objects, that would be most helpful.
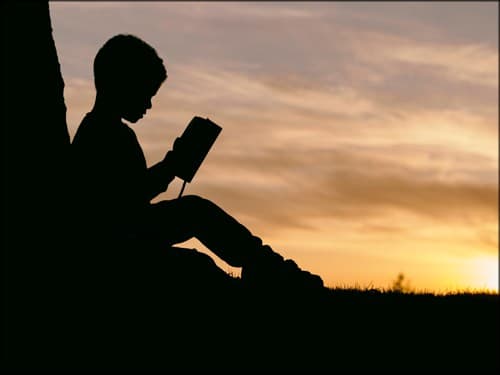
[{"x": 127, "y": 60}]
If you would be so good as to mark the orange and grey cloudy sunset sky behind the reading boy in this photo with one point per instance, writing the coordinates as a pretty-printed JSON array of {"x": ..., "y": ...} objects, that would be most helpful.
[{"x": 359, "y": 138}]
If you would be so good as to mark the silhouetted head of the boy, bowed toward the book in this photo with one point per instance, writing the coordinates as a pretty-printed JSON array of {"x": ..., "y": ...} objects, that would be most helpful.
[{"x": 127, "y": 73}]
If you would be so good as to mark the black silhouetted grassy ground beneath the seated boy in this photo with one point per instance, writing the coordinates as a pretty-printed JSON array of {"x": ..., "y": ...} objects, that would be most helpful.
[{"x": 202, "y": 330}]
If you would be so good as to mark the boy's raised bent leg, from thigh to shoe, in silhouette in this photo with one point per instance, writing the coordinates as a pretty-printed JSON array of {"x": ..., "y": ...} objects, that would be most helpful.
[{"x": 178, "y": 220}]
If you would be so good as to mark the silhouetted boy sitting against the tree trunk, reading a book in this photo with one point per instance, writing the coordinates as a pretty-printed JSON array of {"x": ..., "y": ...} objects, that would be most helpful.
[{"x": 115, "y": 186}]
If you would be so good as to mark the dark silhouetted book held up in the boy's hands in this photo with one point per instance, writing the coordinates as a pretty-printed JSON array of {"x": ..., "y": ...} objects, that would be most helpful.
[{"x": 198, "y": 138}]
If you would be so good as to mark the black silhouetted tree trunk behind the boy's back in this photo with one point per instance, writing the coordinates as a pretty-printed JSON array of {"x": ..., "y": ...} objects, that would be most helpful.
[{"x": 35, "y": 145}]
